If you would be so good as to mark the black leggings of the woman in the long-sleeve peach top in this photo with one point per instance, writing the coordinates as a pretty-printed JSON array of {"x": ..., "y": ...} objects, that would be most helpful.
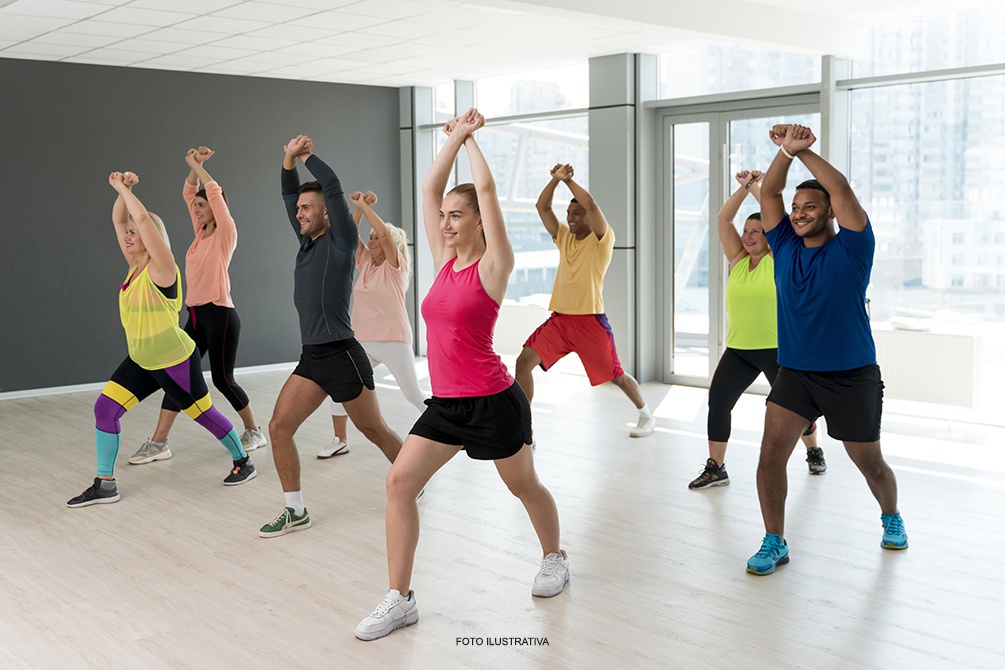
[{"x": 217, "y": 330}]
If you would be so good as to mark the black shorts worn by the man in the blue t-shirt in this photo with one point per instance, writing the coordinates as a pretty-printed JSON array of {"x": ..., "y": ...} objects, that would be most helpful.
[{"x": 851, "y": 400}]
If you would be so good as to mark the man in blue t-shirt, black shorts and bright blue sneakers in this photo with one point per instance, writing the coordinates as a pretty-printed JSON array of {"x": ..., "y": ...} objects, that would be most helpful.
[{"x": 826, "y": 348}]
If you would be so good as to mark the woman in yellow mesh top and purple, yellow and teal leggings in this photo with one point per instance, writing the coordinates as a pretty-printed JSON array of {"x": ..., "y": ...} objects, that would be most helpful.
[{"x": 161, "y": 355}]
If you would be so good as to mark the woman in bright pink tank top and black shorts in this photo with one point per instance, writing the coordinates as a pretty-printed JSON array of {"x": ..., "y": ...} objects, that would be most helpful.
[{"x": 477, "y": 405}]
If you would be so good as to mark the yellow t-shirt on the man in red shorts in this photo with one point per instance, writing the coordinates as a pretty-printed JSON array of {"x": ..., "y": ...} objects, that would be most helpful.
[{"x": 579, "y": 285}]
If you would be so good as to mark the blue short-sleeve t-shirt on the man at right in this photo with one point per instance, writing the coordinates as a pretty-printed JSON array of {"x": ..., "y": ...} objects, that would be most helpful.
[{"x": 823, "y": 322}]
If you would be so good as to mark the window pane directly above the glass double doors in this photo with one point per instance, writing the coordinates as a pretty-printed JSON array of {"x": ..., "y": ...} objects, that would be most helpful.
[{"x": 701, "y": 68}]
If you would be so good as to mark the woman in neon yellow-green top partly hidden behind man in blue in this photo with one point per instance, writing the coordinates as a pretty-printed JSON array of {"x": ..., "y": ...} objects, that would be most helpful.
[{"x": 752, "y": 339}]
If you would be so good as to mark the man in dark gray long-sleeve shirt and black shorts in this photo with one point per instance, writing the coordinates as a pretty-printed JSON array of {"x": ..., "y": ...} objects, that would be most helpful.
[{"x": 333, "y": 364}]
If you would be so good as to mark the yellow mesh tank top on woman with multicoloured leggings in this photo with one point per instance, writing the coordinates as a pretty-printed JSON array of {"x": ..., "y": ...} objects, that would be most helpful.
[{"x": 151, "y": 323}]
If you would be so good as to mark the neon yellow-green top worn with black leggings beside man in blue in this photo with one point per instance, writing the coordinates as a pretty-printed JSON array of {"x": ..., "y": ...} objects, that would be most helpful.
[{"x": 751, "y": 306}]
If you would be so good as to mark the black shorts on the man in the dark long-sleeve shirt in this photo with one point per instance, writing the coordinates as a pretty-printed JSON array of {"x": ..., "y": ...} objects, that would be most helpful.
[{"x": 341, "y": 368}]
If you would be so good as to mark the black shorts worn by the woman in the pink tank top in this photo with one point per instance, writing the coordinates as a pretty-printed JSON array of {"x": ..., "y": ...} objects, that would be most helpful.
[{"x": 488, "y": 427}]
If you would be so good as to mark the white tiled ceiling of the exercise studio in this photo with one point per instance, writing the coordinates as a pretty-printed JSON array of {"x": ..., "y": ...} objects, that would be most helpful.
[{"x": 406, "y": 43}]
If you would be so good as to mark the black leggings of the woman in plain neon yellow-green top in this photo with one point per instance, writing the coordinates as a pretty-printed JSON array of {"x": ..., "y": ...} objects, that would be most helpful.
[{"x": 737, "y": 370}]
